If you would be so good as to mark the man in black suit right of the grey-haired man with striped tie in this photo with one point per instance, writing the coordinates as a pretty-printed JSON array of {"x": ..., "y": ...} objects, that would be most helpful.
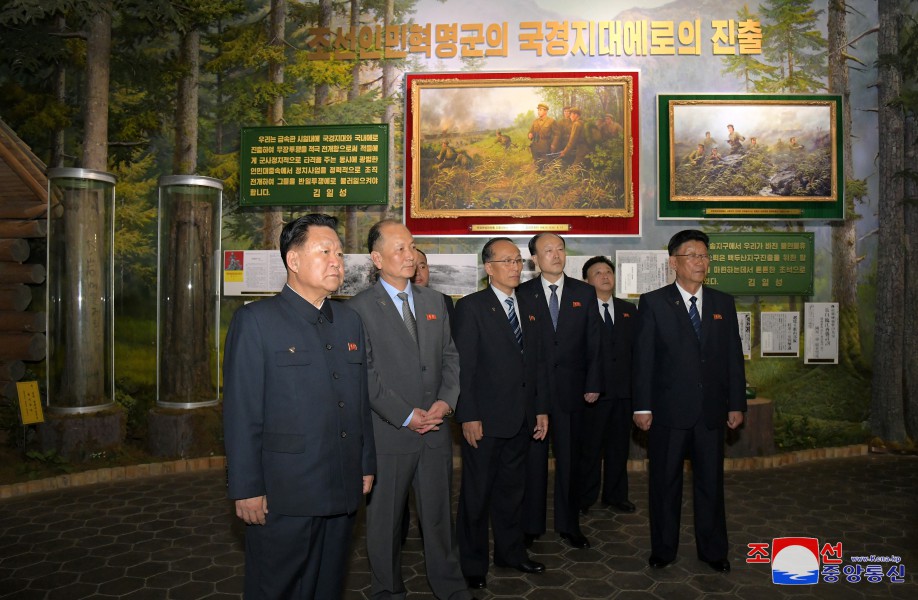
[{"x": 569, "y": 332}]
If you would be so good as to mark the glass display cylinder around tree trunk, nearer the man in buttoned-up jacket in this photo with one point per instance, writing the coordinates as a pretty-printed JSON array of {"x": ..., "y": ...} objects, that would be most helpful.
[{"x": 188, "y": 292}]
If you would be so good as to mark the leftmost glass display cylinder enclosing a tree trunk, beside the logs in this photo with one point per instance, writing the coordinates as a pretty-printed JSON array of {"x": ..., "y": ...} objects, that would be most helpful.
[{"x": 81, "y": 345}]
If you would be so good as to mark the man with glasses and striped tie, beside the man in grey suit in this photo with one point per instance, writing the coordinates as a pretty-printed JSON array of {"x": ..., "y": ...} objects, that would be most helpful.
[{"x": 500, "y": 409}]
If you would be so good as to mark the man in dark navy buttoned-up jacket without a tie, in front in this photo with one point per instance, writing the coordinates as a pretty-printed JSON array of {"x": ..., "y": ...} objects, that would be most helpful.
[{"x": 296, "y": 417}]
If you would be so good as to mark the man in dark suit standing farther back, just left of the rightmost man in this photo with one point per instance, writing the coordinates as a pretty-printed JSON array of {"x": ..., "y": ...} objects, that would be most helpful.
[{"x": 607, "y": 423}]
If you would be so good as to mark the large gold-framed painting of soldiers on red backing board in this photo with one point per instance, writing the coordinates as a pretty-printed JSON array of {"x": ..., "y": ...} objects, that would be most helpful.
[{"x": 522, "y": 153}]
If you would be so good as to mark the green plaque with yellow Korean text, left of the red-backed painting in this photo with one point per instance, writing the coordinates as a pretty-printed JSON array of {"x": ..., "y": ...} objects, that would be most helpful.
[{"x": 314, "y": 165}]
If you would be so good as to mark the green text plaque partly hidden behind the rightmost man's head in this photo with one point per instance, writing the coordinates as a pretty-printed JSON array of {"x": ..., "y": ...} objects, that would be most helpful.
[{"x": 762, "y": 264}]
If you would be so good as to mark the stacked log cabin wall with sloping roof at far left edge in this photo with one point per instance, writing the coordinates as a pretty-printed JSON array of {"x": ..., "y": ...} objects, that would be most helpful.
[{"x": 23, "y": 208}]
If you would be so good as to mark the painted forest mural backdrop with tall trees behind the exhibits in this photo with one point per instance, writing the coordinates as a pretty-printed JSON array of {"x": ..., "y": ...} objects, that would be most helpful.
[{"x": 143, "y": 89}]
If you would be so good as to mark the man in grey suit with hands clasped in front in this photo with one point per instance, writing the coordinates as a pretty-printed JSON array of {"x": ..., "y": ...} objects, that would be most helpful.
[{"x": 414, "y": 385}]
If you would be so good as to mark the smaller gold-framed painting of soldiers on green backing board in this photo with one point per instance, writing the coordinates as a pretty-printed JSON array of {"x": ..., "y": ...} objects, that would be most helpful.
[{"x": 750, "y": 157}]
